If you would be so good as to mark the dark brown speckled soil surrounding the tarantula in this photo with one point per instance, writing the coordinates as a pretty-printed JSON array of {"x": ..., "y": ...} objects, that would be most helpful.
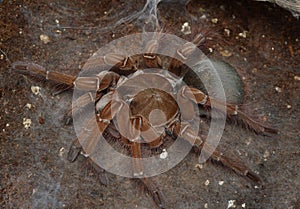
[{"x": 263, "y": 44}]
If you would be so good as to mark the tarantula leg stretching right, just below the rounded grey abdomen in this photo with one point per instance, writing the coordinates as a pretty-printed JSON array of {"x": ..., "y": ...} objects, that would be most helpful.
[{"x": 200, "y": 98}]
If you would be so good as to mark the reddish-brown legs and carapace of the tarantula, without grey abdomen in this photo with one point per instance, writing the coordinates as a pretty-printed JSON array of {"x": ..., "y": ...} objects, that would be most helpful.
[{"x": 141, "y": 99}]
